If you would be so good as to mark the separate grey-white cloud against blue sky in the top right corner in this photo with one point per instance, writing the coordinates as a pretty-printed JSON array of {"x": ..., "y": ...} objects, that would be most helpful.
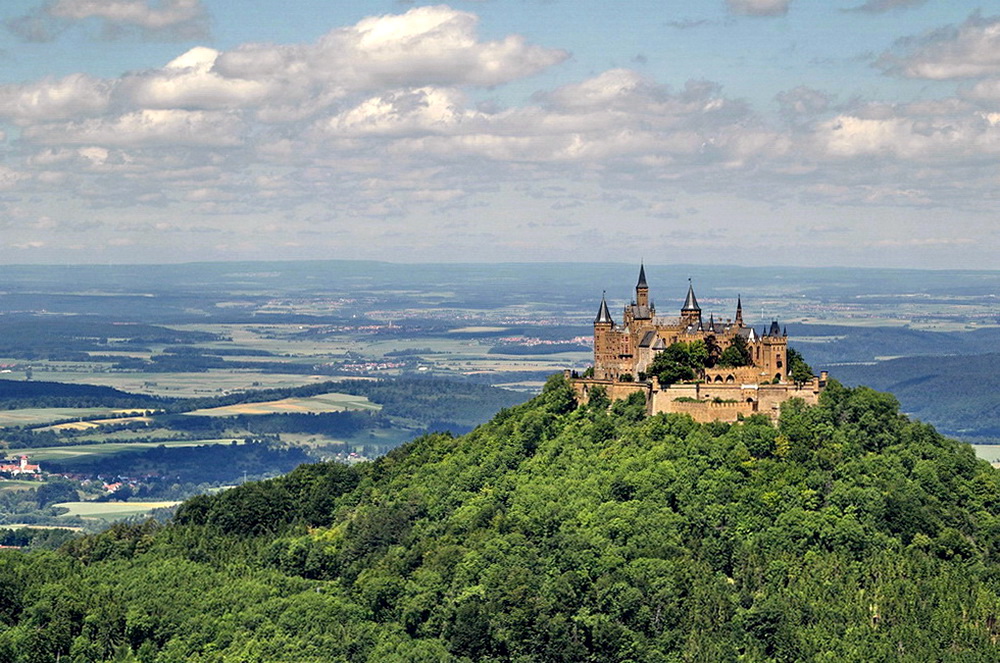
[{"x": 969, "y": 50}]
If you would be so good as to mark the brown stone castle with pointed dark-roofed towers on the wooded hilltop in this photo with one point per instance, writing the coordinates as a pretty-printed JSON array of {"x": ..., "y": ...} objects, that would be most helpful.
[{"x": 623, "y": 353}]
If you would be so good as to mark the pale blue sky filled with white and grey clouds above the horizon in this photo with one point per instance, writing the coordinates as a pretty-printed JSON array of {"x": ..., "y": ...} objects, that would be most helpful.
[{"x": 755, "y": 132}]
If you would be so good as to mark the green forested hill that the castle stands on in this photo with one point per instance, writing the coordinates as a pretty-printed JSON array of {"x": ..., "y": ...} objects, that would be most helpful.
[{"x": 556, "y": 533}]
